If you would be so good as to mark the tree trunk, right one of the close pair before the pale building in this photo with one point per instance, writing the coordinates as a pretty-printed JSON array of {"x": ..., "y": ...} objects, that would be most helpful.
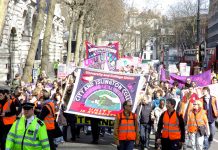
[{"x": 47, "y": 35}]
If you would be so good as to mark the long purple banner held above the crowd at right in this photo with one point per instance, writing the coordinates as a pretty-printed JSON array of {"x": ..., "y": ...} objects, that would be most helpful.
[{"x": 202, "y": 79}]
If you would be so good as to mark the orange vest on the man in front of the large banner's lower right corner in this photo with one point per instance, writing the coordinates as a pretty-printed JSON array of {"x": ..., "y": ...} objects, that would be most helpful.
[{"x": 127, "y": 128}]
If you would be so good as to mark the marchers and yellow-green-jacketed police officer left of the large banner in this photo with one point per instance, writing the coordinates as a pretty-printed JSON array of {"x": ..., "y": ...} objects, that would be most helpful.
[{"x": 32, "y": 115}]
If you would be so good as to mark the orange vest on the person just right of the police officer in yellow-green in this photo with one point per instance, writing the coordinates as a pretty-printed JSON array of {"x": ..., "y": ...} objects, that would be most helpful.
[{"x": 50, "y": 118}]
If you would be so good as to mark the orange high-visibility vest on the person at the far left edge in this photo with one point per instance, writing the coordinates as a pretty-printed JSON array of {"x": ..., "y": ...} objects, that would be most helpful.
[{"x": 7, "y": 108}]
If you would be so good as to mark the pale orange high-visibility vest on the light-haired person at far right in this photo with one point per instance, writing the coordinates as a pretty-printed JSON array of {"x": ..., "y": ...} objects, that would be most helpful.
[{"x": 201, "y": 120}]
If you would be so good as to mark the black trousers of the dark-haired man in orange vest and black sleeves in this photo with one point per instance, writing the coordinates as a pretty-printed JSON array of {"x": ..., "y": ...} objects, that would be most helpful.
[{"x": 168, "y": 144}]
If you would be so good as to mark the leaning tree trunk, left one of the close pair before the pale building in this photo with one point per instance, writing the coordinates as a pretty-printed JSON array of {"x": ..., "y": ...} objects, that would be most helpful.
[{"x": 34, "y": 43}]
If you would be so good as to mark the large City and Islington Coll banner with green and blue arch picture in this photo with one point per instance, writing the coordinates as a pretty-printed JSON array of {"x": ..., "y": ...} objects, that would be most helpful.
[{"x": 101, "y": 94}]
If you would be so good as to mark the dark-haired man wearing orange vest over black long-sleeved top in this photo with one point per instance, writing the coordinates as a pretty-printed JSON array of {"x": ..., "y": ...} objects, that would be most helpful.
[{"x": 171, "y": 130}]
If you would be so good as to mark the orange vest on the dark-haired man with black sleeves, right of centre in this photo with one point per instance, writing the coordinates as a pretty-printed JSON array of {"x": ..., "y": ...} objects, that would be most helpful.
[{"x": 171, "y": 128}]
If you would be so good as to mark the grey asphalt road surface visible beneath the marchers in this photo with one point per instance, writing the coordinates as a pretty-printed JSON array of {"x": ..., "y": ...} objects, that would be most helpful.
[{"x": 106, "y": 143}]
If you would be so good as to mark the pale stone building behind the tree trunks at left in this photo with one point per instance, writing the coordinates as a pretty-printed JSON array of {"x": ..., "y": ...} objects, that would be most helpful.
[{"x": 17, "y": 33}]
